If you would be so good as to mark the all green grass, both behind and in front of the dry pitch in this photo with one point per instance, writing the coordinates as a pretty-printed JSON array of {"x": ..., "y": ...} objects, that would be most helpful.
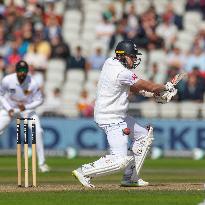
[{"x": 155, "y": 171}]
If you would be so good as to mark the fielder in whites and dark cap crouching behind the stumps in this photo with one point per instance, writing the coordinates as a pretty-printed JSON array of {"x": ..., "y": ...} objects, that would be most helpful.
[{"x": 20, "y": 94}]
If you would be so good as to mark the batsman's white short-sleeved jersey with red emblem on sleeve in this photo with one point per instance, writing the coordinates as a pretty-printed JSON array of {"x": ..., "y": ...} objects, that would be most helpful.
[{"x": 112, "y": 92}]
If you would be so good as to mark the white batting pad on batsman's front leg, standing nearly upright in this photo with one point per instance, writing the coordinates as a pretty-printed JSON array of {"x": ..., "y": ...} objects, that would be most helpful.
[{"x": 140, "y": 149}]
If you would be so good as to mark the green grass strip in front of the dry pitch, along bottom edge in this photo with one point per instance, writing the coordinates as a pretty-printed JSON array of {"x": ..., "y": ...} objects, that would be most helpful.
[{"x": 100, "y": 198}]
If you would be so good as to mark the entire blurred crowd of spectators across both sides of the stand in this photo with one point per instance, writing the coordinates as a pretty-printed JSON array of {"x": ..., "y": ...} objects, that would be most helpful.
[{"x": 33, "y": 31}]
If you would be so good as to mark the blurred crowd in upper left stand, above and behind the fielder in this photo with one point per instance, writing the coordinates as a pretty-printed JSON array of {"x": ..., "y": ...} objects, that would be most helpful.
[{"x": 31, "y": 32}]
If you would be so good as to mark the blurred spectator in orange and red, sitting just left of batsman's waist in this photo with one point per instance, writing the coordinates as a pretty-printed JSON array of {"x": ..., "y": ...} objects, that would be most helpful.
[{"x": 85, "y": 105}]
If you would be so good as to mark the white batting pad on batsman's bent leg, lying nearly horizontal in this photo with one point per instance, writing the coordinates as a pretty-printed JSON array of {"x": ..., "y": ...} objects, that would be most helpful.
[{"x": 106, "y": 165}]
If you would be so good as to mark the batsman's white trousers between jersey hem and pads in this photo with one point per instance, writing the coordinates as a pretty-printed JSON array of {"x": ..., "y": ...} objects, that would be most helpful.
[{"x": 117, "y": 140}]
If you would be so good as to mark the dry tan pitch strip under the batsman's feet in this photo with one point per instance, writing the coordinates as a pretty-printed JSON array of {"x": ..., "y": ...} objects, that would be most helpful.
[{"x": 114, "y": 187}]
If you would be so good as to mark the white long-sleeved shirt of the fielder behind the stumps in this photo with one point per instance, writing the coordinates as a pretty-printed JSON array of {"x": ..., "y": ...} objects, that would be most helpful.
[{"x": 12, "y": 93}]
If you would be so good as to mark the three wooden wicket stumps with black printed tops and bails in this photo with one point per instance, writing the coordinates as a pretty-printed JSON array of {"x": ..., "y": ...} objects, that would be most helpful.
[{"x": 33, "y": 135}]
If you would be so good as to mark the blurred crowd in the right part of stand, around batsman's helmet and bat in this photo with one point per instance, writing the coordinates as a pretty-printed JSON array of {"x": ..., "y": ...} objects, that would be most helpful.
[{"x": 151, "y": 32}]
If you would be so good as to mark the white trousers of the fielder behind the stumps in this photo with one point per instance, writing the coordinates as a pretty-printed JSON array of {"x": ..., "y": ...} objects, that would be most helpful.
[{"x": 5, "y": 120}]
